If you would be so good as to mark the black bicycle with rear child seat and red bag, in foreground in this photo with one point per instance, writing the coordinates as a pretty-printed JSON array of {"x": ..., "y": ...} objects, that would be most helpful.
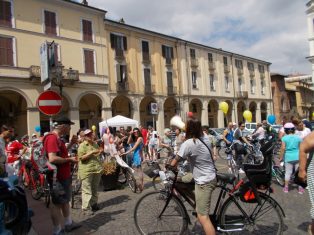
[{"x": 241, "y": 209}]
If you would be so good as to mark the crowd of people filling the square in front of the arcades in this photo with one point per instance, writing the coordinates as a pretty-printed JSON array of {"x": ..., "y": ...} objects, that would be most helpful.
[{"x": 137, "y": 145}]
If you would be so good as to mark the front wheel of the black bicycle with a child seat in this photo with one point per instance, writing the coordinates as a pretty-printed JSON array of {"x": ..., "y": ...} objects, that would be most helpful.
[{"x": 148, "y": 220}]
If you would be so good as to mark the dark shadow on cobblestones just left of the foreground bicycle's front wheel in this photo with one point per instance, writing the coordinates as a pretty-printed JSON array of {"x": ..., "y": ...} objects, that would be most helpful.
[{"x": 99, "y": 219}]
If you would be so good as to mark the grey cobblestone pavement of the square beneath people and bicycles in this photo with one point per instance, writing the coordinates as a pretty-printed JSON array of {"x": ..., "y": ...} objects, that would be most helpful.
[{"x": 116, "y": 212}]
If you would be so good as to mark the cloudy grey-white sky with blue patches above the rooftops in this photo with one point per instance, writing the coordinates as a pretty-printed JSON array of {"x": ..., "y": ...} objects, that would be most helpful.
[{"x": 271, "y": 30}]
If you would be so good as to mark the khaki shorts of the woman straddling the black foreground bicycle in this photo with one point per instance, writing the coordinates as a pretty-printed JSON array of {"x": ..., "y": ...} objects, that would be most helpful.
[{"x": 203, "y": 193}]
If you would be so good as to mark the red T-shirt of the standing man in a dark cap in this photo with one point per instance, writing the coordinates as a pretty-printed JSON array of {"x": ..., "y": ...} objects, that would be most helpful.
[{"x": 53, "y": 144}]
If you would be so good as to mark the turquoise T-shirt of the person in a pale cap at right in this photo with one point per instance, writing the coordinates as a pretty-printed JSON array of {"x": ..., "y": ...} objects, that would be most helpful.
[{"x": 292, "y": 147}]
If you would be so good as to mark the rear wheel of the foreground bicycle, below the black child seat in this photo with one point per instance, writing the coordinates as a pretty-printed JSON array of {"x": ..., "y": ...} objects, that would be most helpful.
[{"x": 241, "y": 217}]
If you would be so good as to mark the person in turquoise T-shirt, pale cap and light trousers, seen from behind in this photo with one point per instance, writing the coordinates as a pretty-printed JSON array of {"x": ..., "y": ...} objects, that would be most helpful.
[{"x": 289, "y": 151}]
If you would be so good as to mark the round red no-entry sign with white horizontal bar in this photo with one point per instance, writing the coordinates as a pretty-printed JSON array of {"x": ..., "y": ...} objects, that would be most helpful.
[{"x": 49, "y": 103}]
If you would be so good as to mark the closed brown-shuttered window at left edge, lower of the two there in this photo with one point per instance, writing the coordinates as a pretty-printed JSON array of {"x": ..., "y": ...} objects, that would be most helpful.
[{"x": 6, "y": 51}]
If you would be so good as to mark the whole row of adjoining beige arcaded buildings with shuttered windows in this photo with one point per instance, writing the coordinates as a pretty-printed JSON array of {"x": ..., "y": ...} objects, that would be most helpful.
[{"x": 113, "y": 68}]
